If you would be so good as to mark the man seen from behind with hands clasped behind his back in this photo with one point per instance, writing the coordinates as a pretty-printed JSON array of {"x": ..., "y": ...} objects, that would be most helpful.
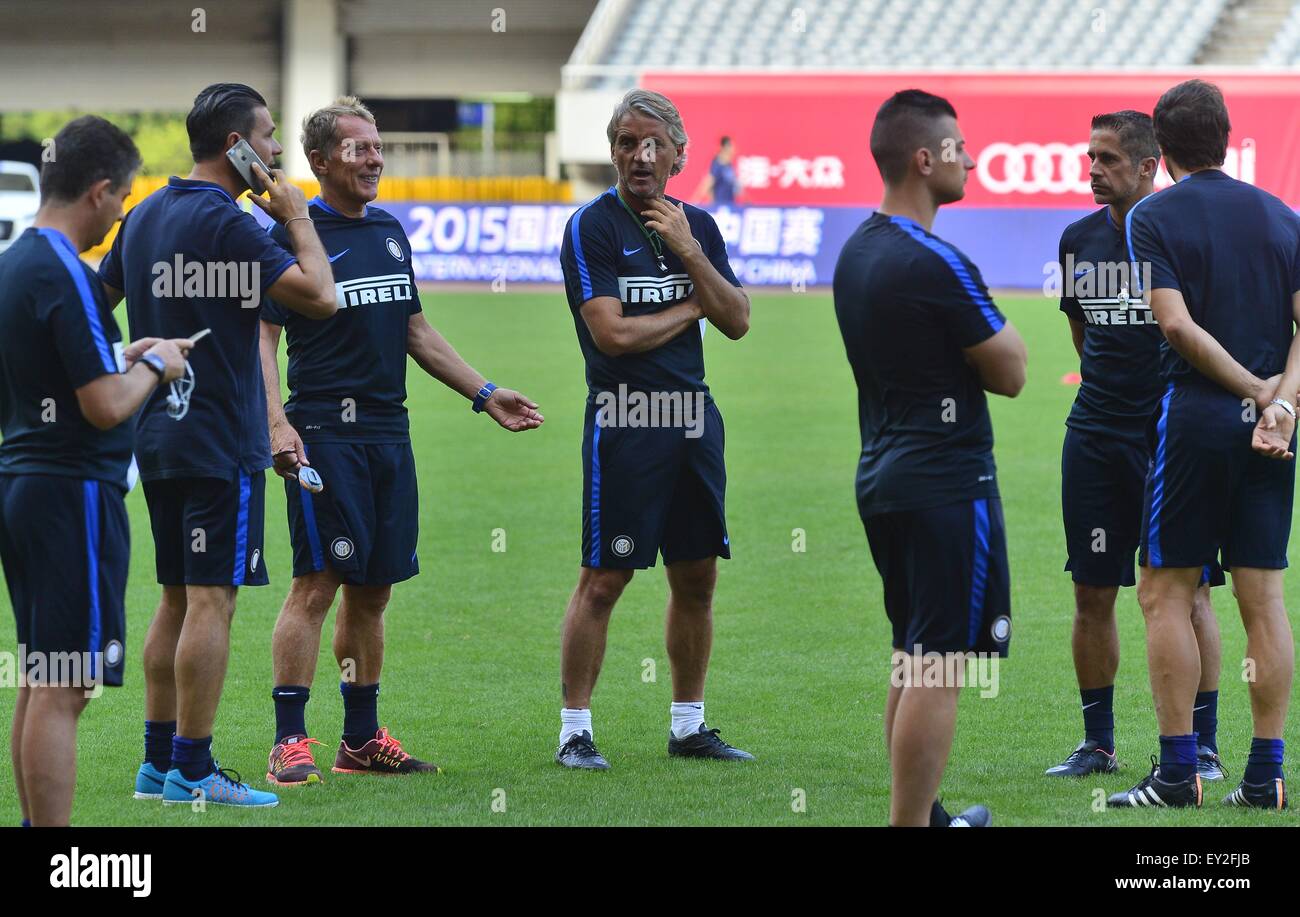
[{"x": 1224, "y": 263}]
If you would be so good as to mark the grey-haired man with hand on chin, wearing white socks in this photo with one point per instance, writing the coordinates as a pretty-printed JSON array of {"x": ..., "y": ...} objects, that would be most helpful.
[{"x": 642, "y": 270}]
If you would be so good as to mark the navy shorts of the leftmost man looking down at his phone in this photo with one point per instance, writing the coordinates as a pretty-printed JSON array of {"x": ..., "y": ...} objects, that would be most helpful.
[{"x": 66, "y": 546}]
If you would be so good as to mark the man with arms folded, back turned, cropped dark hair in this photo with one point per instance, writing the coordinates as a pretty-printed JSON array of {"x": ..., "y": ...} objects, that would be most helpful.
[{"x": 926, "y": 341}]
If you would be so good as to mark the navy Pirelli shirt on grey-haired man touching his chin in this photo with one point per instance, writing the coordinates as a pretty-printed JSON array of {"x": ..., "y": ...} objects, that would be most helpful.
[{"x": 606, "y": 254}]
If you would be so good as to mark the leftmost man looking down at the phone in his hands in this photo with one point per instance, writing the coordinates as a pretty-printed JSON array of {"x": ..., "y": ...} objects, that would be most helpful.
[{"x": 68, "y": 393}]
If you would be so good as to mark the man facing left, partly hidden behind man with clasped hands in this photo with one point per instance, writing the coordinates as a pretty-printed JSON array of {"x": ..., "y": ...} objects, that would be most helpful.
[{"x": 1104, "y": 457}]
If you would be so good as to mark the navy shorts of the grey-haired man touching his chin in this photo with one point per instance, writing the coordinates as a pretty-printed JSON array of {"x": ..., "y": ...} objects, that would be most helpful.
[{"x": 651, "y": 491}]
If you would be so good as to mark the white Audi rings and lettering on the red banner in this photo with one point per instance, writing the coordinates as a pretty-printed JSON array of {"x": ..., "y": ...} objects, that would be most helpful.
[{"x": 1063, "y": 168}]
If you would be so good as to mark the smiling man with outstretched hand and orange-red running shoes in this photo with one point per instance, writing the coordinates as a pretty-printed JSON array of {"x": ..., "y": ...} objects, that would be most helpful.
[{"x": 346, "y": 419}]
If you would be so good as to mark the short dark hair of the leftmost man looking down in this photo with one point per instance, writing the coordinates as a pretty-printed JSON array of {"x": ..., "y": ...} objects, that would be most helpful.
[{"x": 86, "y": 152}]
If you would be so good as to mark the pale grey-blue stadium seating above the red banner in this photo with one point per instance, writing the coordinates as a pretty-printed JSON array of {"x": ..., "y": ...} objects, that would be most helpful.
[{"x": 830, "y": 34}]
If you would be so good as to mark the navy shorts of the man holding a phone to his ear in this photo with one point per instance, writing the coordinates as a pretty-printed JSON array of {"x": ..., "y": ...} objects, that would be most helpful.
[{"x": 207, "y": 531}]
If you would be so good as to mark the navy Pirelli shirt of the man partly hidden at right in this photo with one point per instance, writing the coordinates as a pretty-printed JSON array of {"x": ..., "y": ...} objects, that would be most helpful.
[{"x": 1121, "y": 340}]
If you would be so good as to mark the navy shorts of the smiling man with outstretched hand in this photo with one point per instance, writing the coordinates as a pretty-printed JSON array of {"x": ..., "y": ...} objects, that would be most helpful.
[{"x": 366, "y": 524}]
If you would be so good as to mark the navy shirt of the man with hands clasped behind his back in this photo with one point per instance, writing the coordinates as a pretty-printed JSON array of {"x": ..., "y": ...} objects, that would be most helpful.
[{"x": 1234, "y": 254}]
